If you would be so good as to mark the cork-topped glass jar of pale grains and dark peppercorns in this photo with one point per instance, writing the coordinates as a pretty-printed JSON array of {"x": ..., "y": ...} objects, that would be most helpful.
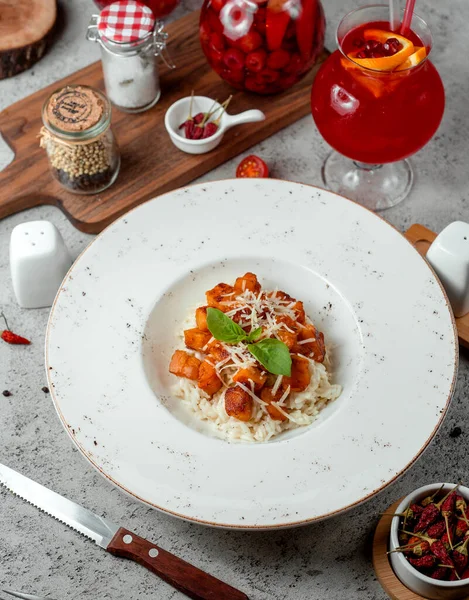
[{"x": 77, "y": 136}]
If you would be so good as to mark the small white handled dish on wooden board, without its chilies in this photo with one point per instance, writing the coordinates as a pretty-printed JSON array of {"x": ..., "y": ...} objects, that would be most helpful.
[{"x": 178, "y": 113}]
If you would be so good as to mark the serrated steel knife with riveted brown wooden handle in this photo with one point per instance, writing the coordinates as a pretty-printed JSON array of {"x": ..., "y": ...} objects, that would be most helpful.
[{"x": 119, "y": 541}]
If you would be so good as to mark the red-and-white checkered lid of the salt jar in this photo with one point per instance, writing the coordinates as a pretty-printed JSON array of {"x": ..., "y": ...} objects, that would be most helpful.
[{"x": 125, "y": 21}]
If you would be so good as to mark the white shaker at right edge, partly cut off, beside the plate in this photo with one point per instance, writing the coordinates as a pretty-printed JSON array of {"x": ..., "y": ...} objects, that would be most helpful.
[{"x": 449, "y": 256}]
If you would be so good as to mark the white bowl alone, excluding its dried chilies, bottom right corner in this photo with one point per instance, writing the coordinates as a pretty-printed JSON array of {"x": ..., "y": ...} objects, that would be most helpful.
[{"x": 410, "y": 577}]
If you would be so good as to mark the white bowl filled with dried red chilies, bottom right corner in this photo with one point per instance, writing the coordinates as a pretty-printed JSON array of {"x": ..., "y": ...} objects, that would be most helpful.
[{"x": 429, "y": 541}]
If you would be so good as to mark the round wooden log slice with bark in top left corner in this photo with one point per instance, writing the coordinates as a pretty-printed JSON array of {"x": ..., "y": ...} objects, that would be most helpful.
[{"x": 25, "y": 32}]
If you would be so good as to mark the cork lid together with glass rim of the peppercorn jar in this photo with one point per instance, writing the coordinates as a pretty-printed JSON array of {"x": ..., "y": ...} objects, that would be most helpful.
[{"x": 76, "y": 113}]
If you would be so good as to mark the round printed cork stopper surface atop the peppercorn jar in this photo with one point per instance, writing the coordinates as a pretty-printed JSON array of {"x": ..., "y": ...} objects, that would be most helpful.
[{"x": 75, "y": 109}]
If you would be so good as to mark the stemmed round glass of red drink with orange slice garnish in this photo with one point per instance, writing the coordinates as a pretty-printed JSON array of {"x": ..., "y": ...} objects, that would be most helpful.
[{"x": 376, "y": 100}]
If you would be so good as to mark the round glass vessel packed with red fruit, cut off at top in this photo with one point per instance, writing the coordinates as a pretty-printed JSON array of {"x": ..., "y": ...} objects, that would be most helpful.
[{"x": 262, "y": 46}]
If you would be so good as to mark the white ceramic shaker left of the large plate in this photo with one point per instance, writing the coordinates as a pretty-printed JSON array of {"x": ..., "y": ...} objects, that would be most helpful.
[{"x": 39, "y": 261}]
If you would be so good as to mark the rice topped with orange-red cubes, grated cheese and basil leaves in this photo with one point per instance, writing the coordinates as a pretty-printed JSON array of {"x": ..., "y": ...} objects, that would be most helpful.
[{"x": 255, "y": 365}]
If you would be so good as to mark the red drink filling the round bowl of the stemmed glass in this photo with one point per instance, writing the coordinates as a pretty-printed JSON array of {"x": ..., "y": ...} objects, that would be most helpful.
[{"x": 374, "y": 116}]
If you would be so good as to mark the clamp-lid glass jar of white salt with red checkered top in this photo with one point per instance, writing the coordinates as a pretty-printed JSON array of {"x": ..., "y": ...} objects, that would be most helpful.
[{"x": 131, "y": 40}]
